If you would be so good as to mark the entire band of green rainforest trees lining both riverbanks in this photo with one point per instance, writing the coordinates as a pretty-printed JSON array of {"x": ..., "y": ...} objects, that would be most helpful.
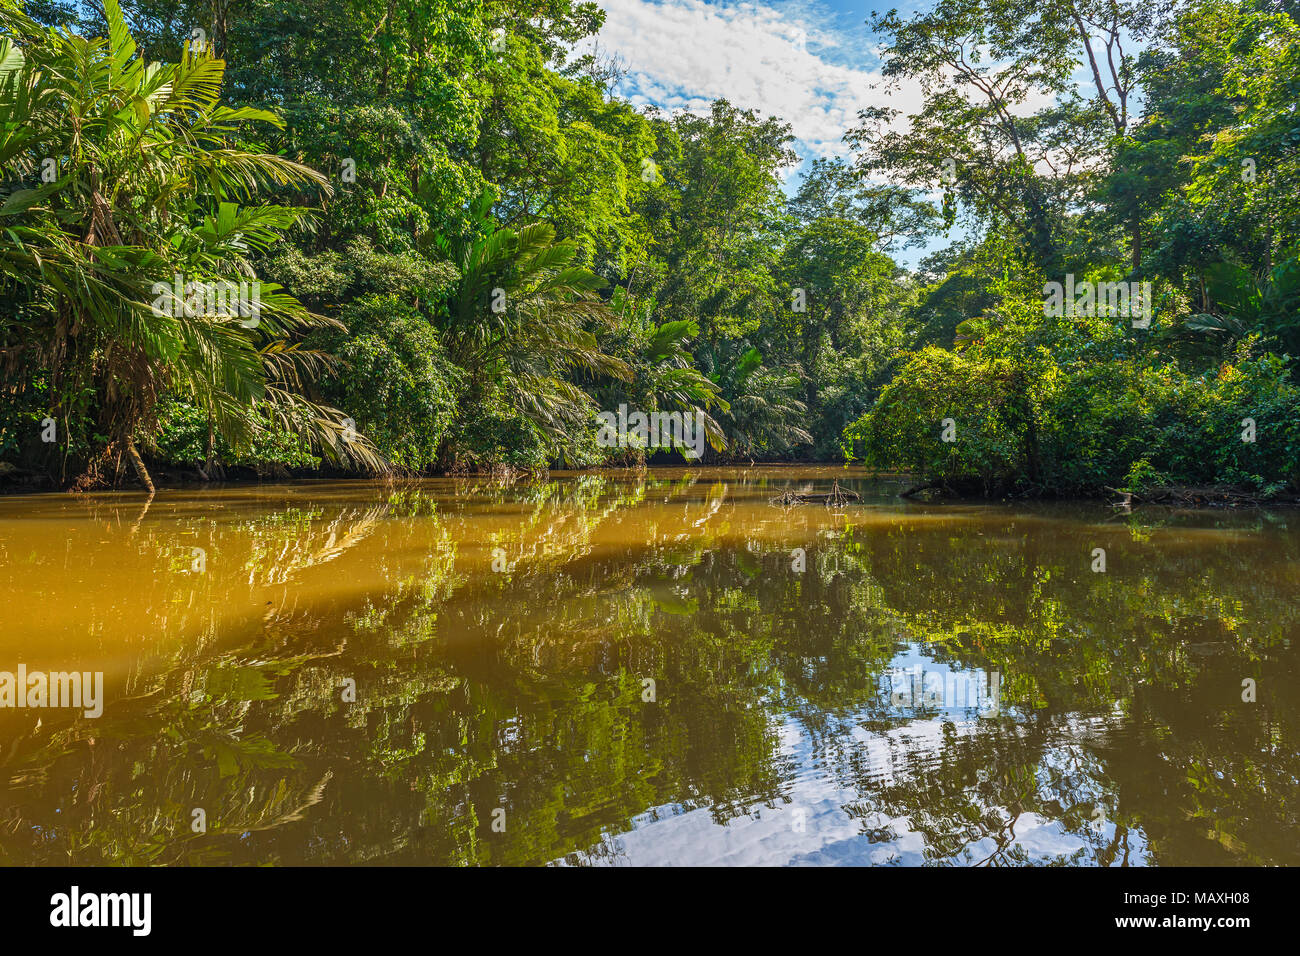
[{"x": 470, "y": 246}]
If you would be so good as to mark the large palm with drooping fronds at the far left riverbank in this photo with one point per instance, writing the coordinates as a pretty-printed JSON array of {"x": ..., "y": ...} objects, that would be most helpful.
[{"x": 128, "y": 175}]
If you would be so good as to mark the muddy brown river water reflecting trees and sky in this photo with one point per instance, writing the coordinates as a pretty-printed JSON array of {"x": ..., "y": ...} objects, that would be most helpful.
[{"x": 657, "y": 669}]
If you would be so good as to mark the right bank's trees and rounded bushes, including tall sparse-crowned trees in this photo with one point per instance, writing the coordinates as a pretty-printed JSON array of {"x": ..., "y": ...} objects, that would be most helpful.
[{"x": 1195, "y": 196}]
